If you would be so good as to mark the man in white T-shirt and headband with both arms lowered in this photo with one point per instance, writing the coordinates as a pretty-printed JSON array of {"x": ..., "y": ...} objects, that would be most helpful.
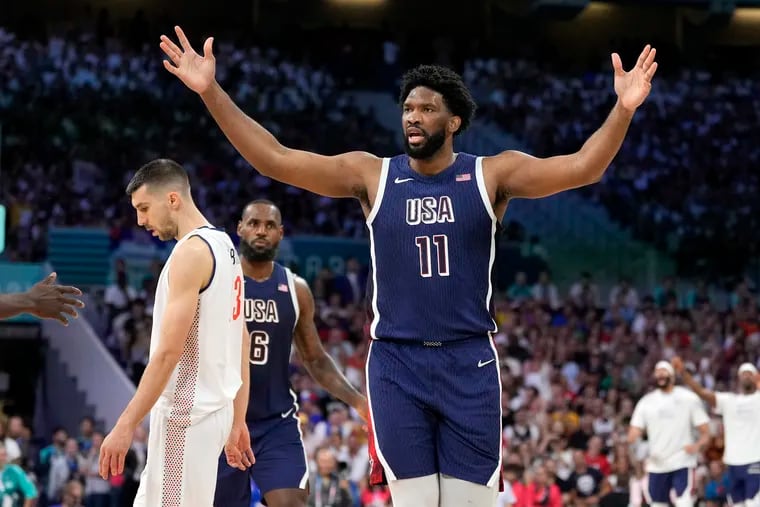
[{"x": 668, "y": 415}]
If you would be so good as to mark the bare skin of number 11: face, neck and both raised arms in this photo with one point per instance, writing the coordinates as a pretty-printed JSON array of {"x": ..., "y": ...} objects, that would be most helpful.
[{"x": 357, "y": 174}]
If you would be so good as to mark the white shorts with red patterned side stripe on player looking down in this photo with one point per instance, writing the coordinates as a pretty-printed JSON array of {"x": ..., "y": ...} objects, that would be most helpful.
[{"x": 182, "y": 460}]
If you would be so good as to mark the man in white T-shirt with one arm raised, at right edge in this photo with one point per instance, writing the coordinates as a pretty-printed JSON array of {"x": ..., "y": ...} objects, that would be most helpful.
[{"x": 741, "y": 414}]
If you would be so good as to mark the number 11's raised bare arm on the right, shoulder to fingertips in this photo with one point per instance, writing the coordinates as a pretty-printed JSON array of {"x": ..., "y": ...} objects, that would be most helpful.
[{"x": 521, "y": 175}]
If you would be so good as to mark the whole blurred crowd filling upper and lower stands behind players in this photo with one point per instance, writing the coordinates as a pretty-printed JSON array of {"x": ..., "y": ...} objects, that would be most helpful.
[{"x": 83, "y": 104}]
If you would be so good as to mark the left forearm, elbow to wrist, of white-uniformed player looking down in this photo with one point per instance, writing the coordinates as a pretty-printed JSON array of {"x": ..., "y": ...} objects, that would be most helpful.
[{"x": 153, "y": 382}]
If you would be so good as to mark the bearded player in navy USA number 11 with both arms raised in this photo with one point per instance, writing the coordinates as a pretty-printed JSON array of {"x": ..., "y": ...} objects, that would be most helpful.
[{"x": 433, "y": 380}]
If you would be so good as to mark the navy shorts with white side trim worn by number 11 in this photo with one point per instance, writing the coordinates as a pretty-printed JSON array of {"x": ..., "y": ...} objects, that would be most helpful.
[{"x": 436, "y": 409}]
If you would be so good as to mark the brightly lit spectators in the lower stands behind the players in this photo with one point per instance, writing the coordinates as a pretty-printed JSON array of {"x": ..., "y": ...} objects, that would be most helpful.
[{"x": 573, "y": 365}]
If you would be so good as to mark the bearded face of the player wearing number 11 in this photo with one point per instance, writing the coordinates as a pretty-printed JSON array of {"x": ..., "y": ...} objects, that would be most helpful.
[{"x": 424, "y": 119}]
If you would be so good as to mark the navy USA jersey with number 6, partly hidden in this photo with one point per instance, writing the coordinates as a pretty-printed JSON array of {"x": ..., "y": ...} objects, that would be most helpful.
[{"x": 271, "y": 313}]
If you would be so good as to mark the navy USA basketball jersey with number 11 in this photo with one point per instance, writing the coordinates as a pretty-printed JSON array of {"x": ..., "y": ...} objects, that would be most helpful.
[{"x": 433, "y": 243}]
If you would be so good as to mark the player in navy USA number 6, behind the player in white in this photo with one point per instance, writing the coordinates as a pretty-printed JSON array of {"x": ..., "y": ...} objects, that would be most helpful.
[{"x": 279, "y": 311}]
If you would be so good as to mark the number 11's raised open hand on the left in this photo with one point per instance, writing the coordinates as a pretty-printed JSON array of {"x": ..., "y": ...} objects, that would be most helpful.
[{"x": 196, "y": 71}]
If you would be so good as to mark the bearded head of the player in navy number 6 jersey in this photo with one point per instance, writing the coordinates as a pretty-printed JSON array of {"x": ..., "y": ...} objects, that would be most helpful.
[{"x": 260, "y": 232}]
